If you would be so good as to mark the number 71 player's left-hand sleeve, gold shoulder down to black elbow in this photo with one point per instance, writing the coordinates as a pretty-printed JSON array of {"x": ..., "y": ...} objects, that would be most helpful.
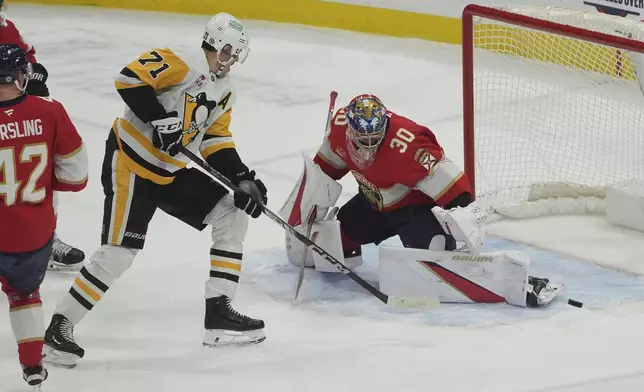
[{"x": 139, "y": 81}]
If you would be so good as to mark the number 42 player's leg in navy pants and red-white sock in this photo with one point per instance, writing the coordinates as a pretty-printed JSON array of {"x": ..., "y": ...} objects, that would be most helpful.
[{"x": 20, "y": 276}]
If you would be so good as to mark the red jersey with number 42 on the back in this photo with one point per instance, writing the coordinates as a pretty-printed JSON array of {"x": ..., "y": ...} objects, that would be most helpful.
[{"x": 40, "y": 152}]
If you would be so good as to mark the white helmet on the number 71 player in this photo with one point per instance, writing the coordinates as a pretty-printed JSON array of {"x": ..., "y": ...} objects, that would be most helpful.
[{"x": 226, "y": 33}]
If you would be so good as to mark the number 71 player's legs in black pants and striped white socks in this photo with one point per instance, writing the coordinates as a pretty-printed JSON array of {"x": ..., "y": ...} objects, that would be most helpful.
[{"x": 130, "y": 203}]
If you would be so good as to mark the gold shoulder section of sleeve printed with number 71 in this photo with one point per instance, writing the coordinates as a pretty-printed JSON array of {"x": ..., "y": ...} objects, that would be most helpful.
[{"x": 158, "y": 68}]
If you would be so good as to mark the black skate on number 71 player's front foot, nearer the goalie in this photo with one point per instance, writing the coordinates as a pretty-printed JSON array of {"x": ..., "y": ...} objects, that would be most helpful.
[{"x": 225, "y": 326}]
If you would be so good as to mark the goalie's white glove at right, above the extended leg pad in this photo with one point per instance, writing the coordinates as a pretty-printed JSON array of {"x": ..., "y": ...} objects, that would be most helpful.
[{"x": 464, "y": 224}]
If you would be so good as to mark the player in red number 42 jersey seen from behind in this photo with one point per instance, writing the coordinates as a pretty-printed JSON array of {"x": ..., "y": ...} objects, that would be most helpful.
[{"x": 40, "y": 152}]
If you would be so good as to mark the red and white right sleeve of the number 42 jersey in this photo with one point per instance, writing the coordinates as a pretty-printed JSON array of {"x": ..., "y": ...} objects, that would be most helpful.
[{"x": 70, "y": 155}]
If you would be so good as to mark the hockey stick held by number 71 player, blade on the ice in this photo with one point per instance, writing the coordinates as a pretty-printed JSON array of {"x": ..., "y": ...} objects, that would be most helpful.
[{"x": 401, "y": 302}]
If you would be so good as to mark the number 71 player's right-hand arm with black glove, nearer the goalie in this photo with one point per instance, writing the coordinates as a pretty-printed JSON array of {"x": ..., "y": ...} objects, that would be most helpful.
[{"x": 218, "y": 149}]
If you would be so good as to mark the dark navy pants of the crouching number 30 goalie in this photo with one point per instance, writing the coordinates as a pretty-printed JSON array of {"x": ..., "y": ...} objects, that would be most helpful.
[{"x": 416, "y": 225}]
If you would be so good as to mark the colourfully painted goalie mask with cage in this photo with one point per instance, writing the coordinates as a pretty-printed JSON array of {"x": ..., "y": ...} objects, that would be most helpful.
[{"x": 367, "y": 124}]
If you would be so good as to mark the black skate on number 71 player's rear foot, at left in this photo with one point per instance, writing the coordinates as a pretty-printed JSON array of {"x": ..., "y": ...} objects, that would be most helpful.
[{"x": 60, "y": 349}]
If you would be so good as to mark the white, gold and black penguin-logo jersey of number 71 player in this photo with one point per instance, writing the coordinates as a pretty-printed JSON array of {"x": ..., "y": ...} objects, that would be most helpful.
[{"x": 160, "y": 82}]
